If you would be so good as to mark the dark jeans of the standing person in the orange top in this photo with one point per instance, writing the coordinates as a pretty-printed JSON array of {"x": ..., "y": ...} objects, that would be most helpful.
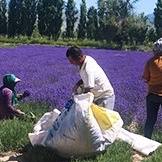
[{"x": 153, "y": 103}]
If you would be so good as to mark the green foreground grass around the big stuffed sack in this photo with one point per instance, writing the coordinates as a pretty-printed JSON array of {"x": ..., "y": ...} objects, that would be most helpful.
[{"x": 14, "y": 137}]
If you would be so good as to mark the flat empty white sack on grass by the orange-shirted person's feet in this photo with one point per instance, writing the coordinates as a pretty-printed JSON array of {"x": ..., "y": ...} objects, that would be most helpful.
[{"x": 139, "y": 143}]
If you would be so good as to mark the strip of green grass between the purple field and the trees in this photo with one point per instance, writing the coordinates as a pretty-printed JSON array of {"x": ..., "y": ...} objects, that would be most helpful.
[{"x": 10, "y": 42}]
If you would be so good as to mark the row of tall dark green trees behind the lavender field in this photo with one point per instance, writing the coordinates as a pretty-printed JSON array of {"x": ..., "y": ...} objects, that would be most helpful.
[{"x": 111, "y": 21}]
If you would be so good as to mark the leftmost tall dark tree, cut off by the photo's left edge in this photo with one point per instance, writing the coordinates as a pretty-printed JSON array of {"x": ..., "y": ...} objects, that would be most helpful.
[{"x": 3, "y": 17}]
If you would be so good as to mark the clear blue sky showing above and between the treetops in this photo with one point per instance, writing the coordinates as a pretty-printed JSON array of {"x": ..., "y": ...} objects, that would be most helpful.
[{"x": 146, "y": 6}]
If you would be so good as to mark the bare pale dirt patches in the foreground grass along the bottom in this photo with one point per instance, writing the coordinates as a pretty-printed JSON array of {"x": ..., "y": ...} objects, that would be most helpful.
[{"x": 18, "y": 157}]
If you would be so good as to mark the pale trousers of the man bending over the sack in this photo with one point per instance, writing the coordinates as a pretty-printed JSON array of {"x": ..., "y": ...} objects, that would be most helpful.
[{"x": 106, "y": 102}]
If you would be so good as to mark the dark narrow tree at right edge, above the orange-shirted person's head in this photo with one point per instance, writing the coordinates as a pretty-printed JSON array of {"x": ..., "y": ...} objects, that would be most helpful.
[{"x": 158, "y": 18}]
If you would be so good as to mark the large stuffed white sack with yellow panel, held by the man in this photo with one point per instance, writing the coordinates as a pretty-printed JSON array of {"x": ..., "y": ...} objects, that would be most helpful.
[{"x": 81, "y": 130}]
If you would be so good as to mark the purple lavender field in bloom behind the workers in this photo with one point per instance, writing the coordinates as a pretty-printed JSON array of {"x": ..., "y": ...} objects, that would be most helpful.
[{"x": 47, "y": 74}]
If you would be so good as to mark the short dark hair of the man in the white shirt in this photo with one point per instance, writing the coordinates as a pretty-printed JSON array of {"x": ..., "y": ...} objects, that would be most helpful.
[{"x": 74, "y": 52}]
